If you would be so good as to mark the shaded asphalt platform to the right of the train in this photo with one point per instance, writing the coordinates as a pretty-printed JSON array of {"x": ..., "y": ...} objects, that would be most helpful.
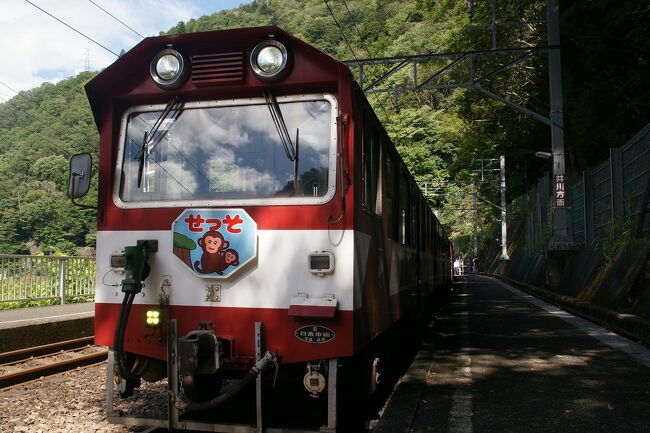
[{"x": 499, "y": 359}]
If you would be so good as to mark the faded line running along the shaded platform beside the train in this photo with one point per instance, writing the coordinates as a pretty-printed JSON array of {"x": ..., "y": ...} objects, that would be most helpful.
[{"x": 462, "y": 406}]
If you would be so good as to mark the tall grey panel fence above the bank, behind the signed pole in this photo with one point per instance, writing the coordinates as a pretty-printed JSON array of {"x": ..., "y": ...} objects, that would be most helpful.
[{"x": 605, "y": 201}]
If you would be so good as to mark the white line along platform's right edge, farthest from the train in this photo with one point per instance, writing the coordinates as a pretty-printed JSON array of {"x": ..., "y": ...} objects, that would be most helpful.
[{"x": 615, "y": 341}]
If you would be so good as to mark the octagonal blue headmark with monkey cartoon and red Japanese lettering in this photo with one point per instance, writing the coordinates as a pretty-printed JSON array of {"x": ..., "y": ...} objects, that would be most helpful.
[{"x": 215, "y": 243}]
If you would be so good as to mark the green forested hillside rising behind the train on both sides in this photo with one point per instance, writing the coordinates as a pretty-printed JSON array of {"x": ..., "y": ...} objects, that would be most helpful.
[{"x": 605, "y": 55}]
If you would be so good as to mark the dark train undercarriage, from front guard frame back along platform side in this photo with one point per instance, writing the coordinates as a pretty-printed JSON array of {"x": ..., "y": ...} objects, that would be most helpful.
[{"x": 361, "y": 383}]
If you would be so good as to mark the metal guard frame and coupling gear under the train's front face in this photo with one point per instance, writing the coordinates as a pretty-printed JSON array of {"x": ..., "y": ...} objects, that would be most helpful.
[{"x": 182, "y": 415}]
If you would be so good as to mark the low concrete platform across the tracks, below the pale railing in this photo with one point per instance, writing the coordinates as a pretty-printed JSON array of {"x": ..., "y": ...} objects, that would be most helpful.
[{"x": 28, "y": 327}]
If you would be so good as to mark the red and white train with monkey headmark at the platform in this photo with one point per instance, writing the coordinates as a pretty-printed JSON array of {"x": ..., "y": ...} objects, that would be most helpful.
[{"x": 253, "y": 216}]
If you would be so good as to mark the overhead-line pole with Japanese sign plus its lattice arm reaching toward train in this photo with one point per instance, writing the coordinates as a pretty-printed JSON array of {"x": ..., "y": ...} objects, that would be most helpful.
[{"x": 562, "y": 238}]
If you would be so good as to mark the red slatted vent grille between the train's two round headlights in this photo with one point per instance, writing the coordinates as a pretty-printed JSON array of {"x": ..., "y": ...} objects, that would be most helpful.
[{"x": 211, "y": 69}]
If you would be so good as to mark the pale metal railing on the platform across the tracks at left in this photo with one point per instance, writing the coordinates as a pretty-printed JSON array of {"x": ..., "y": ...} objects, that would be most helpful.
[{"x": 31, "y": 278}]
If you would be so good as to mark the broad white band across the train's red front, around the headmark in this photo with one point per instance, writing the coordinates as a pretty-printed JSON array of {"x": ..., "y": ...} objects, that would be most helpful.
[{"x": 280, "y": 271}]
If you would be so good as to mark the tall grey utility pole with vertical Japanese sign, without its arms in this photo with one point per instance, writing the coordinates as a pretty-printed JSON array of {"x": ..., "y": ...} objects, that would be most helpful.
[{"x": 562, "y": 238}]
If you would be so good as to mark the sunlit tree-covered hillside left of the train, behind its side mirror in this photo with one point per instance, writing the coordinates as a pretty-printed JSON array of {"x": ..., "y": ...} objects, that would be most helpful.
[{"x": 39, "y": 130}]
